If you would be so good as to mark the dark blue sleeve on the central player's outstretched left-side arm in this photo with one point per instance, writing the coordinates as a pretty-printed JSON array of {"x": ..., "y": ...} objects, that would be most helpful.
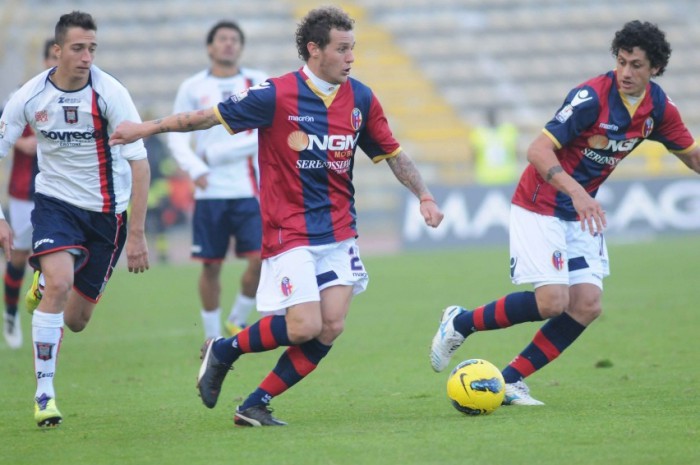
[{"x": 251, "y": 109}]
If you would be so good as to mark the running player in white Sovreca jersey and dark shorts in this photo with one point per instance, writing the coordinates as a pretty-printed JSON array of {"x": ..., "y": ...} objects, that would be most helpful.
[{"x": 82, "y": 191}]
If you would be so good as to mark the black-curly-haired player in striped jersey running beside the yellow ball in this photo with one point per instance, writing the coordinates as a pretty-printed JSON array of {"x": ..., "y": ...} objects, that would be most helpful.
[{"x": 557, "y": 226}]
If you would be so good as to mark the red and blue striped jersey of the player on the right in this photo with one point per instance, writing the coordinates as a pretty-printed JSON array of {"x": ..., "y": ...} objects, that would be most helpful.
[{"x": 593, "y": 131}]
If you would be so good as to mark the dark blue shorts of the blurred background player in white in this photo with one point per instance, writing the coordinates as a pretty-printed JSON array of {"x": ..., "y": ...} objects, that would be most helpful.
[{"x": 215, "y": 221}]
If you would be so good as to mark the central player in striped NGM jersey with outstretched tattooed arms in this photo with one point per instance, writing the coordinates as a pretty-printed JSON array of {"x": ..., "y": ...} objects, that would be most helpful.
[{"x": 310, "y": 123}]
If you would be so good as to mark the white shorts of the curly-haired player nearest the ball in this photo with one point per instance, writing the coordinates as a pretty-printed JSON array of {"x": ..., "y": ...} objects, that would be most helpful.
[{"x": 548, "y": 250}]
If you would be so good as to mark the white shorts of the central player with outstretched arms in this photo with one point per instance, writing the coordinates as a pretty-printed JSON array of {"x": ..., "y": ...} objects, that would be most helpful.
[{"x": 300, "y": 274}]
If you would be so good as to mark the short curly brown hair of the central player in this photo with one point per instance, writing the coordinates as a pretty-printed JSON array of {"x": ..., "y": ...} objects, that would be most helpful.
[{"x": 316, "y": 27}]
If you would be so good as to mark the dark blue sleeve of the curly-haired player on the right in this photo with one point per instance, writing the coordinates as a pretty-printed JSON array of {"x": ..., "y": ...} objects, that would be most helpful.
[{"x": 579, "y": 111}]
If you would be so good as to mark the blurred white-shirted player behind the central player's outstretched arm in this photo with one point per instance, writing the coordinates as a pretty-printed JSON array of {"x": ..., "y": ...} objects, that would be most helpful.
[{"x": 224, "y": 170}]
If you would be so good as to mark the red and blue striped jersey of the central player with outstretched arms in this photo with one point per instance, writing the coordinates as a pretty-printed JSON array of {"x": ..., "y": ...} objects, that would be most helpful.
[{"x": 306, "y": 151}]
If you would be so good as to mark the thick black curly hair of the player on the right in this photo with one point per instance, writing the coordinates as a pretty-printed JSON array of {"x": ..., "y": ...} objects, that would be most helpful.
[{"x": 646, "y": 36}]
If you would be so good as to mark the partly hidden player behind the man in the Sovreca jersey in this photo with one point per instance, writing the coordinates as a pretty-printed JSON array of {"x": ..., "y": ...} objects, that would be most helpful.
[{"x": 21, "y": 204}]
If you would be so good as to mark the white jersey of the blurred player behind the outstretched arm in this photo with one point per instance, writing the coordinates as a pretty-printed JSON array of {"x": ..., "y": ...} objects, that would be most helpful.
[{"x": 230, "y": 161}]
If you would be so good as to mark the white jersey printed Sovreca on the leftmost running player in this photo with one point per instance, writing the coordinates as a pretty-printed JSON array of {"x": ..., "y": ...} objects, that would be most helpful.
[{"x": 76, "y": 163}]
